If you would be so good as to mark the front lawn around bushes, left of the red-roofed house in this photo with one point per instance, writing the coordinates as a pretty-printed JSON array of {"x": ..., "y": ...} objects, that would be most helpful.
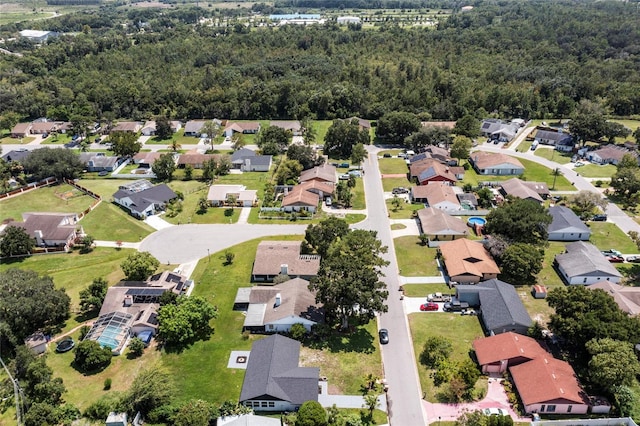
[{"x": 460, "y": 330}]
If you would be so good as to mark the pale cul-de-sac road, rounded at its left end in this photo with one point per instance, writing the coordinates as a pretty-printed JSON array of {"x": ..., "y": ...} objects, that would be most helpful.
[{"x": 185, "y": 243}]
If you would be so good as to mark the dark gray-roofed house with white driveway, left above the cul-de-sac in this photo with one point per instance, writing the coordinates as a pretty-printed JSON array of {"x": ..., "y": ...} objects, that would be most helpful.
[{"x": 145, "y": 202}]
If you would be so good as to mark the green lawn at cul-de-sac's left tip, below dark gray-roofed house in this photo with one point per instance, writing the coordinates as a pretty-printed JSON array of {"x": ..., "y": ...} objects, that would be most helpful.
[{"x": 111, "y": 223}]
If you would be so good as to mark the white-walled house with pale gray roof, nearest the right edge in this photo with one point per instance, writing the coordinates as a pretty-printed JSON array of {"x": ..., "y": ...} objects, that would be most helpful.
[{"x": 584, "y": 264}]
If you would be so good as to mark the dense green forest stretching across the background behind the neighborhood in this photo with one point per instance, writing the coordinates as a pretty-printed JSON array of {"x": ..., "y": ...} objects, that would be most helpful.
[{"x": 514, "y": 59}]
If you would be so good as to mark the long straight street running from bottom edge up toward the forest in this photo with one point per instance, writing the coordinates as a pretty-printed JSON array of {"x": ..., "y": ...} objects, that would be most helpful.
[{"x": 403, "y": 398}]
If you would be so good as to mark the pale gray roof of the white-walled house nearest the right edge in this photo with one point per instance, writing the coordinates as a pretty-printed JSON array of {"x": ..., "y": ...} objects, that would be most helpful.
[{"x": 585, "y": 259}]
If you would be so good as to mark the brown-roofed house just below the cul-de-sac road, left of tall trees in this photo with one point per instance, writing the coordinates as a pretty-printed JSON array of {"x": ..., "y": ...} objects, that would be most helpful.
[{"x": 283, "y": 258}]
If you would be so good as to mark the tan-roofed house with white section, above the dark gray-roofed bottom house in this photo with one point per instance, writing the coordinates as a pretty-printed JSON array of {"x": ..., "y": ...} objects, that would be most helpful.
[{"x": 274, "y": 309}]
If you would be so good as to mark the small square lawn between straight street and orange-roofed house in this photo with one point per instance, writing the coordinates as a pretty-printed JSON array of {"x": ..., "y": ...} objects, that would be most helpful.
[{"x": 414, "y": 259}]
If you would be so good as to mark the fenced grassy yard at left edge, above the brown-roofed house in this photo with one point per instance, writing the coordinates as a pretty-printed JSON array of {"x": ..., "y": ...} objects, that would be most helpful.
[{"x": 56, "y": 198}]
